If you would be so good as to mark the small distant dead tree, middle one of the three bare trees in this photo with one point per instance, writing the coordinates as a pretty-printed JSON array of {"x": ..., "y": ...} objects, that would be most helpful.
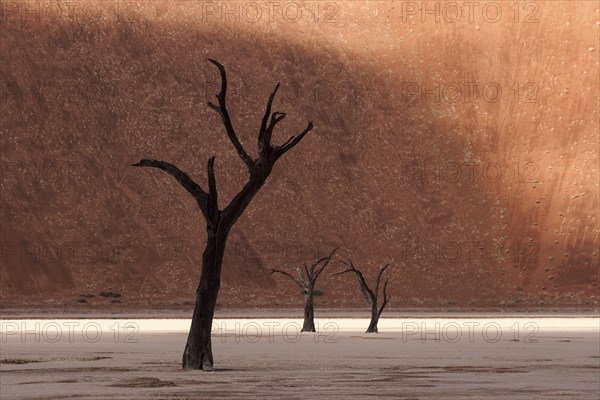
[{"x": 307, "y": 277}]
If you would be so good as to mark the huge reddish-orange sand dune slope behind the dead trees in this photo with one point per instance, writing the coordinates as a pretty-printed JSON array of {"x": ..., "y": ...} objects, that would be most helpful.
[{"x": 465, "y": 154}]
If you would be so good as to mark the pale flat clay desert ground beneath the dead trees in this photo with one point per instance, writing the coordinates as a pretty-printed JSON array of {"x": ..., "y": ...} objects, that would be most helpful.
[{"x": 480, "y": 356}]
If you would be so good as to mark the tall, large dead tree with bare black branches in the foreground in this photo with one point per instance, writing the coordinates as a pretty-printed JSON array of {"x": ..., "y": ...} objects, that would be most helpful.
[{"x": 198, "y": 349}]
